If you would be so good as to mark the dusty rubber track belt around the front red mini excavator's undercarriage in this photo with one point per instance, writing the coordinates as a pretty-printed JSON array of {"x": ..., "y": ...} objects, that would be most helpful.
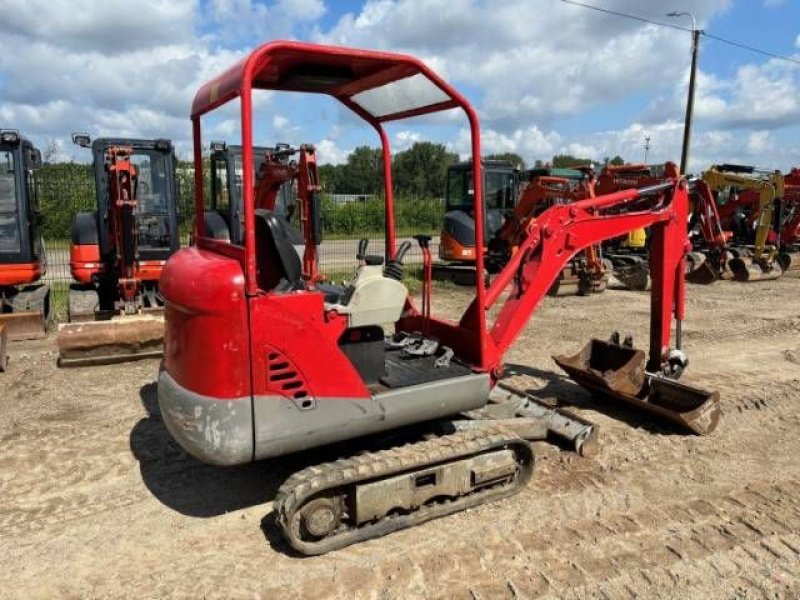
[{"x": 387, "y": 463}]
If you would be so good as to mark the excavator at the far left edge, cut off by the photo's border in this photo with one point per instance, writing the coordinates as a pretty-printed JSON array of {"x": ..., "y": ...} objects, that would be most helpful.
[{"x": 25, "y": 309}]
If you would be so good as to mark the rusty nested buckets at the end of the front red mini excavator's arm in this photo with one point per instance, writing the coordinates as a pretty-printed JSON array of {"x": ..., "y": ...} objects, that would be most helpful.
[{"x": 618, "y": 372}]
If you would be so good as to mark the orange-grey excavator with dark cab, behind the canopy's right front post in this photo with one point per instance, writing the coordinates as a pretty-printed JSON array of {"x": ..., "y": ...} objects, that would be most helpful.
[{"x": 501, "y": 180}]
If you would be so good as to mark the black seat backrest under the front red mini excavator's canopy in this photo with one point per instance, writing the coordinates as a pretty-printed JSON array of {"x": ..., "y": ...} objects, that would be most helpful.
[{"x": 277, "y": 261}]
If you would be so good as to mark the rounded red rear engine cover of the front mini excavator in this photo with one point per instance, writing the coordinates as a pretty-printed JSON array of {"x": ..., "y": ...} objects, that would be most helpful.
[{"x": 206, "y": 330}]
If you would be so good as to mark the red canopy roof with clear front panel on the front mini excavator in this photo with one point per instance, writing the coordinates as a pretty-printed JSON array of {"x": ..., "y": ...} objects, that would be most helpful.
[{"x": 379, "y": 86}]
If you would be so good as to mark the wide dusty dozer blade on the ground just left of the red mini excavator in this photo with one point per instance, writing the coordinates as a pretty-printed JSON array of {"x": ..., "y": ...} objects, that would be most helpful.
[{"x": 117, "y": 340}]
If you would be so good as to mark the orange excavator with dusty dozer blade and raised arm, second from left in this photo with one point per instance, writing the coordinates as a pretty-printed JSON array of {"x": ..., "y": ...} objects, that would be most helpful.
[{"x": 118, "y": 251}]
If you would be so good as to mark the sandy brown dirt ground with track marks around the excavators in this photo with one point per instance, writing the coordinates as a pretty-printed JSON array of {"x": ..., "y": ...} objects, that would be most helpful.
[{"x": 98, "y": 502}]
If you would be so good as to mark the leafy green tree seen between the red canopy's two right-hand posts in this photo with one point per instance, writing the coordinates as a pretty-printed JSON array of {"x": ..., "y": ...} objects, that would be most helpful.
[{"x": 422, "y": 169}]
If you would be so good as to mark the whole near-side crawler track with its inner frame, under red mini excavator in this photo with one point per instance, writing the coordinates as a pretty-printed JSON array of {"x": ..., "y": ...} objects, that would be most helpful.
[{"x": 327, "y": 507}]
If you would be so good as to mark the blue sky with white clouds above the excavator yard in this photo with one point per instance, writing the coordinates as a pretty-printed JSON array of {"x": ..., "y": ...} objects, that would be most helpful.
[{"x": 545, "y": 76}]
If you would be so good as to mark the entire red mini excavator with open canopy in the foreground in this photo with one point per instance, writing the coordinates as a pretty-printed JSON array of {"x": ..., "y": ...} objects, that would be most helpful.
[{"x": 262, "y": 360}]
